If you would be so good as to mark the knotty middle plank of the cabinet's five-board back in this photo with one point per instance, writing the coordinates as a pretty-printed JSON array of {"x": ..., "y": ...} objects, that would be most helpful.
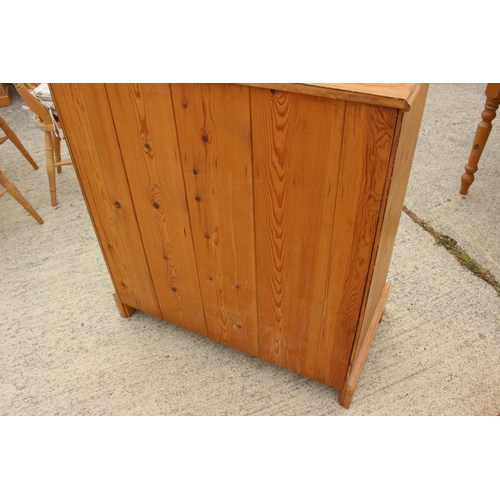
[{"x": 213, "y": 124}]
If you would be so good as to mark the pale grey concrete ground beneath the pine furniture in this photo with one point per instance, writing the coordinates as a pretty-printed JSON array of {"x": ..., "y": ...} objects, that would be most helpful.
[{"x": 64, "y": 350}]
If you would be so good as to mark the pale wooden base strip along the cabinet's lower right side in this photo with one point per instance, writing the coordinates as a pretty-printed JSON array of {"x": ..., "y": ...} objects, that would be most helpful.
[{"x": 352, "y": 379}]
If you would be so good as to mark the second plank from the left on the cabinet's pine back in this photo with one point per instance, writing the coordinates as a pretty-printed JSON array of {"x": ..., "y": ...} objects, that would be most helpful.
[{"x": 145, "y": 125}]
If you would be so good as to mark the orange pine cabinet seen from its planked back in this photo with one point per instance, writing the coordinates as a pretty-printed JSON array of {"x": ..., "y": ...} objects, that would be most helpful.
[{"x": 262, "y": 216}]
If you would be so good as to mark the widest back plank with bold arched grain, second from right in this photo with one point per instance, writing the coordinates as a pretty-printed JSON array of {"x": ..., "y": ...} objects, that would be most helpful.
[{"x": 297, "y": 145}]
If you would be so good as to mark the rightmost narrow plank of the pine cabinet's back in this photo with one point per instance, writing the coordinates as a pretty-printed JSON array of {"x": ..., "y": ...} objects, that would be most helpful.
[{"x": 367, "y": 143}]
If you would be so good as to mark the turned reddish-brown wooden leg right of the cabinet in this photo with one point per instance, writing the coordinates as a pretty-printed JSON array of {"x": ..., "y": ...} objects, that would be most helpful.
[{"x": 482, "y": 132}]
